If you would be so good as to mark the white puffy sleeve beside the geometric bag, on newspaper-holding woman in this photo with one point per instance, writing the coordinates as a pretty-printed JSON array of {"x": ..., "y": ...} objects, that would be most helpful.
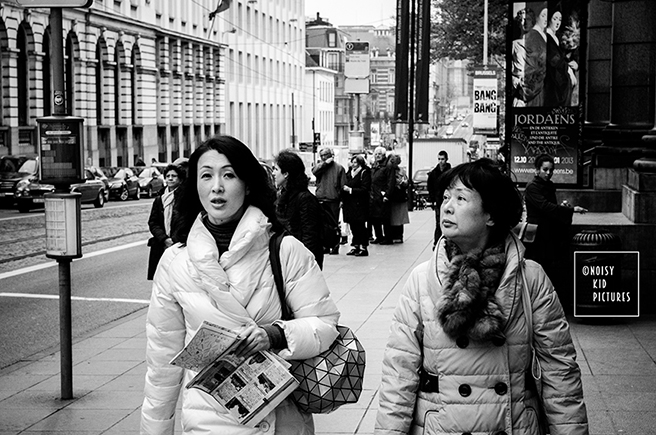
[{"x": 313, "y": 327}]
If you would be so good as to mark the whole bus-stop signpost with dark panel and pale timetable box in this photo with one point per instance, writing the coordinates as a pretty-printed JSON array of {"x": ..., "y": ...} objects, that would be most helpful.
[{"x": 61, "y": 164}]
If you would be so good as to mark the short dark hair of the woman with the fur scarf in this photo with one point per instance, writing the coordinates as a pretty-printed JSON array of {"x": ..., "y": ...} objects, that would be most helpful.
[{"x": 500, "y": 196}]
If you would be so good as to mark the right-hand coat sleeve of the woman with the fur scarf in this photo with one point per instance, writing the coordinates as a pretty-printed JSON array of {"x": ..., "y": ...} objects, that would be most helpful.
[{"x": 562, "y": 390}]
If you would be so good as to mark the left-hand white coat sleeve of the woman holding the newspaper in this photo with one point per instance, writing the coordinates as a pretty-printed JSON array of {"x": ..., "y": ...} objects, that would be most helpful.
[{"x": 165, "y": 336}]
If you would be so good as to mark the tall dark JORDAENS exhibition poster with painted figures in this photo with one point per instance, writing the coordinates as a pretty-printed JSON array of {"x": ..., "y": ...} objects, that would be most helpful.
[{"x": 544, "y": 111}]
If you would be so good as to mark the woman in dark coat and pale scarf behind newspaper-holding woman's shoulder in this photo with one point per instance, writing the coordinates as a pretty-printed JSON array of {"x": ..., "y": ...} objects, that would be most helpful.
[{"x": 163, "y": 217}]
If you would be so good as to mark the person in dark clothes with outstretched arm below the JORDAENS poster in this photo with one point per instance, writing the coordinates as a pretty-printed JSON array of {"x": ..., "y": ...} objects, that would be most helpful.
[{"x": 554, "y": 220}]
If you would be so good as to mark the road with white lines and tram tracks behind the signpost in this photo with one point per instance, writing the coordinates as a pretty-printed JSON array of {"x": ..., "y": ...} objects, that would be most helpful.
[{"x": 104, "y": 287}]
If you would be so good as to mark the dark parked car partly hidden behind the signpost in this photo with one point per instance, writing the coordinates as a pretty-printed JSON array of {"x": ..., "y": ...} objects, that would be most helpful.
[{"x": 30, "y": 194}]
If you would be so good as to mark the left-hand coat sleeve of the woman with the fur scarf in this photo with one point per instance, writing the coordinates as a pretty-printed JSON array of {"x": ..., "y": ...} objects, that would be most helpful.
[{"x": 402, "y": 361}]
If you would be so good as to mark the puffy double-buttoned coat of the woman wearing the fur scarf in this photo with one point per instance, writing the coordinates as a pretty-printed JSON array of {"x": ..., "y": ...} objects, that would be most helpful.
[{"x": 475, "y": 386}]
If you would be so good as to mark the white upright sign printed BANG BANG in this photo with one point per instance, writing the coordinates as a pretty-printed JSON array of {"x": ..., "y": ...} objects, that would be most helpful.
[{"x": 485, "y": 100}]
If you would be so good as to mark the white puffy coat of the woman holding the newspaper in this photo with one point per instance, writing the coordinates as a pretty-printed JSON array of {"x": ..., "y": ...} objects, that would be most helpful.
[{"x": 193, "y": 284}]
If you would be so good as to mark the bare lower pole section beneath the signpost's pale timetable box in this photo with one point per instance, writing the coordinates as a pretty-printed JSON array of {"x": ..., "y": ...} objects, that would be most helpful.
[{"x": 65, "y": 329}]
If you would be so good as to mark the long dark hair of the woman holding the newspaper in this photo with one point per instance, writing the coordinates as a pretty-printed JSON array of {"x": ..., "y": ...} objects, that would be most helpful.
[{"x": 246, "y": 166}]
